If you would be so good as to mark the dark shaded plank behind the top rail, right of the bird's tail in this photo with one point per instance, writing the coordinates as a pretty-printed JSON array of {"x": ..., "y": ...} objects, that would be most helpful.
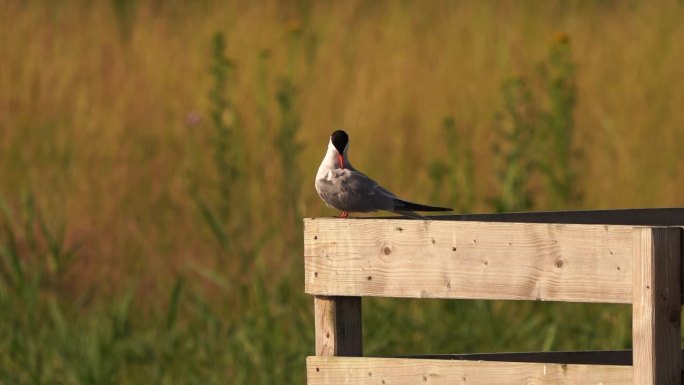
[{"x": 635, "y": 217}]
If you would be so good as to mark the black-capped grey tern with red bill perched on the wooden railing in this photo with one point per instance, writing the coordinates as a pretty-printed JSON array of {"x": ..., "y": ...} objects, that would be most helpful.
[{"x": 343, "y": 187}]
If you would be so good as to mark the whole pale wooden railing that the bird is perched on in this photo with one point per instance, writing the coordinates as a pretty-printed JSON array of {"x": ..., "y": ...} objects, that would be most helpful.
[{"x": 615, "y": 256}]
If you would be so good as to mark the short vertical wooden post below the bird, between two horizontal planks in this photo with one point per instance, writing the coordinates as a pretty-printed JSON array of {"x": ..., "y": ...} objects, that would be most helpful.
[{"x": 338, "y": 326}]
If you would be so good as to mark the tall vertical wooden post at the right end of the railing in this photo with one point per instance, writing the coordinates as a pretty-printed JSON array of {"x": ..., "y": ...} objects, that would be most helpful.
[{"x": 656, "y": 307}]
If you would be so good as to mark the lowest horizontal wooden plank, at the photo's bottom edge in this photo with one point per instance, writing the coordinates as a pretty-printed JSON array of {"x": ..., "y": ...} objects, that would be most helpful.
[{"x": 398, "y": 371}]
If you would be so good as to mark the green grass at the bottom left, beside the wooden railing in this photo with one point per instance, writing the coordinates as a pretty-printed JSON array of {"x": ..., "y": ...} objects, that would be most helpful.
[{"x": 192, "y": 336}]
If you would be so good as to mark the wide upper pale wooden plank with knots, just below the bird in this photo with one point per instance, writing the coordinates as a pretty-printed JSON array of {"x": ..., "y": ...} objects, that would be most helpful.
[{"x": 446, "y": 259}]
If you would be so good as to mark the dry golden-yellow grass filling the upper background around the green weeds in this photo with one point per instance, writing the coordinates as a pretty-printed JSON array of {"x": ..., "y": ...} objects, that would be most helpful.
[{"x": 93, "y": 107}]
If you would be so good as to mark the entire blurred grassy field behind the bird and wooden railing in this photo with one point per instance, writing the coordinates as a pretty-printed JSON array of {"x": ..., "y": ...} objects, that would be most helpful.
[{"x": 156, "y": 159}]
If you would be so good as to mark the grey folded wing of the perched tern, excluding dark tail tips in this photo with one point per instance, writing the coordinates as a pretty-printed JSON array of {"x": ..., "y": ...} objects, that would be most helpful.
[{"x": 353, "y": 191}]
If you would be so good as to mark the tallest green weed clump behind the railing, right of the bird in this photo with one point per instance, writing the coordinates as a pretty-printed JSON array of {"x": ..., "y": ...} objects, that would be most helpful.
[{"x": 536, "y": 134}]
